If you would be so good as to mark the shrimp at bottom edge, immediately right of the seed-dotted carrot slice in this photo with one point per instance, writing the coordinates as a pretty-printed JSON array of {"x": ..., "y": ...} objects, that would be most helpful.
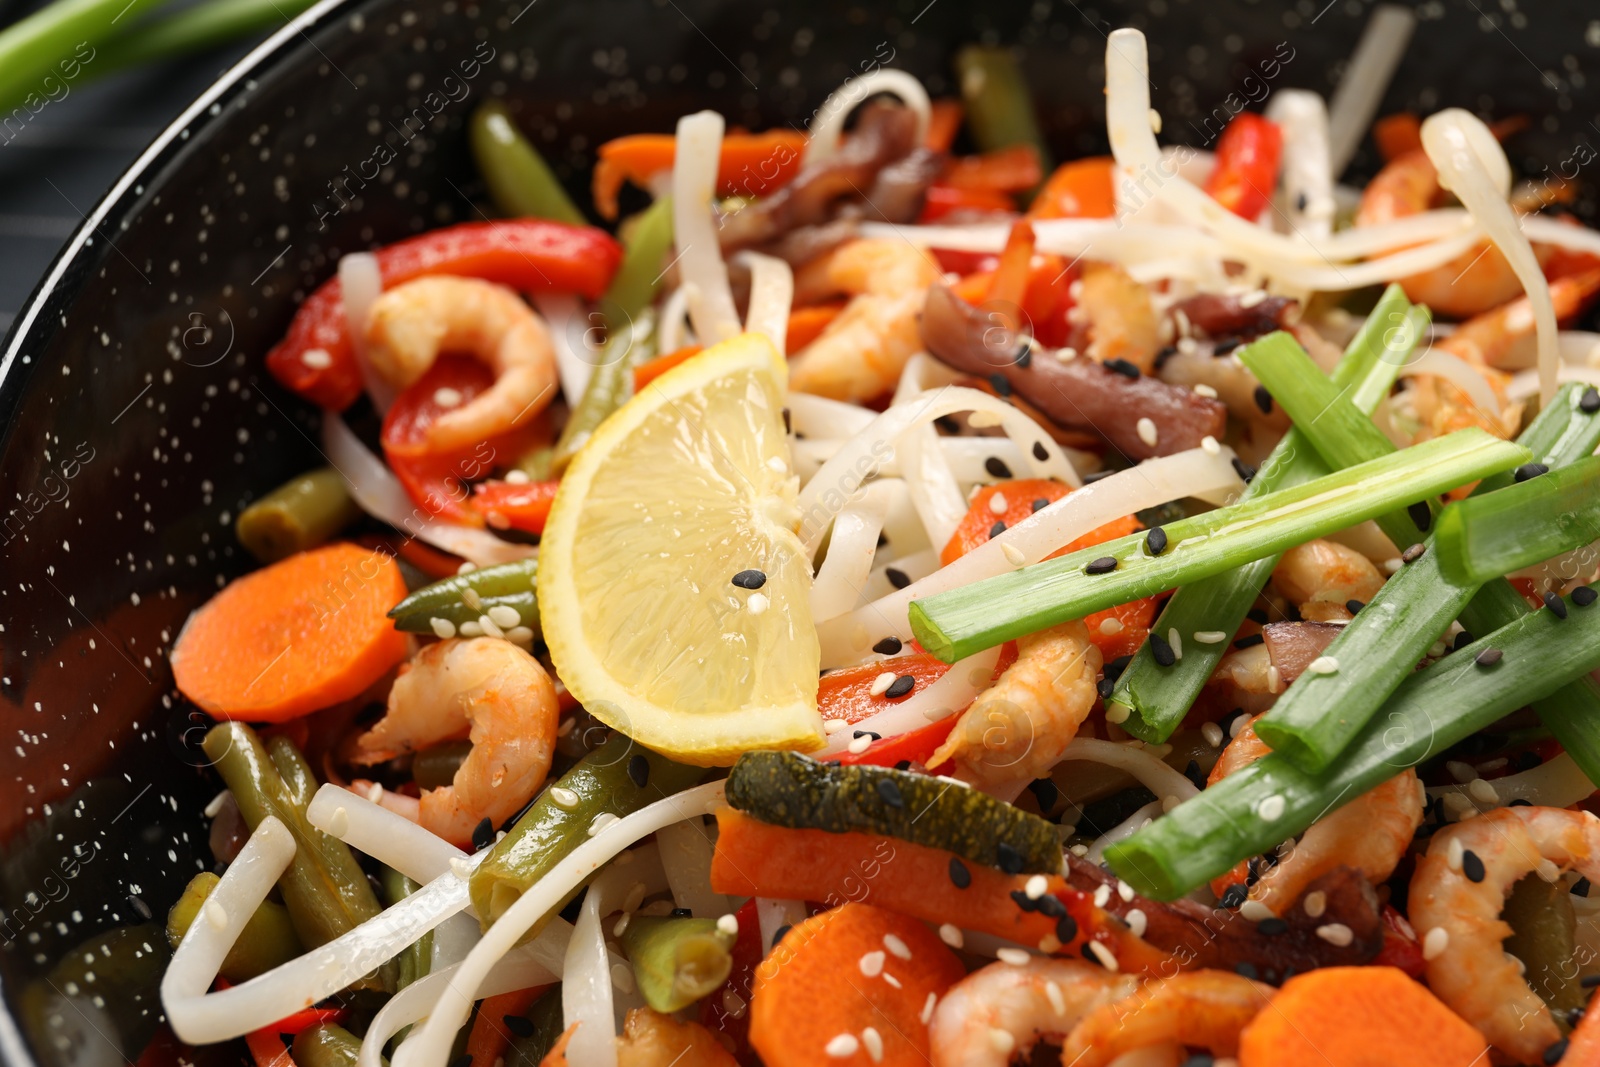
[{"x": 1004, "y": 1009}]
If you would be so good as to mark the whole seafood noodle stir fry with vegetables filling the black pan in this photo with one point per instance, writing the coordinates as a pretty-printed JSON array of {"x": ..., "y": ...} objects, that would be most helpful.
[{"x": 874, "y": 596}]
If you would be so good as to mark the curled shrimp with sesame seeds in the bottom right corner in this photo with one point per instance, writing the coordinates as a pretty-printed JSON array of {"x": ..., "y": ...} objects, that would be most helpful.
[{"x": 1457, "y": 897}]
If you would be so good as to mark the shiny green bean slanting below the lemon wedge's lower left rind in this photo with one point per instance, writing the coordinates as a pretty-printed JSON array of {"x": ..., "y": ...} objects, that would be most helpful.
[{"x": 607, "y": 781}]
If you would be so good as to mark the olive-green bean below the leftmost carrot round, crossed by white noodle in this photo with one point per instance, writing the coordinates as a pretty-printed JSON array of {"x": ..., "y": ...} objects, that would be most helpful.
[{"x": 324, "y": 889}]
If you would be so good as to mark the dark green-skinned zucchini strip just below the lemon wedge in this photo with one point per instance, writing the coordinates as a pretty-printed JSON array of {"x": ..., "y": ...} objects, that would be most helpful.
[{"x": 802, "y": 794}]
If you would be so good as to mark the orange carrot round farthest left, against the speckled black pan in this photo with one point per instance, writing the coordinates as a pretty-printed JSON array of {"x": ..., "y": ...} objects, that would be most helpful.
[{"x": 294, "y": 637}]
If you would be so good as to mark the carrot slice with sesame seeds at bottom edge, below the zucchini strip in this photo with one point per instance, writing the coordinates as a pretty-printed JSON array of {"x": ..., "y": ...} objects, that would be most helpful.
[{"x": 892, "y": 969}]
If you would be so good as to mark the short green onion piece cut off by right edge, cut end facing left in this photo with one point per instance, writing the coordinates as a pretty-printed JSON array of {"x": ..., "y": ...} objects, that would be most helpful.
[{"x": 1500, "y": 533}]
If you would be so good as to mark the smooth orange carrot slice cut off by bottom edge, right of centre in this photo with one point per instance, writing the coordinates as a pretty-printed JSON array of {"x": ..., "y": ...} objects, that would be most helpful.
[{"x": 1359, "y": 1017}]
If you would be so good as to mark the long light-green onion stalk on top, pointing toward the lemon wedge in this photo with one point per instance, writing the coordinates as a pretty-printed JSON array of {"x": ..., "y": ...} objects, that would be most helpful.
[{"x": 964, "y": 621}]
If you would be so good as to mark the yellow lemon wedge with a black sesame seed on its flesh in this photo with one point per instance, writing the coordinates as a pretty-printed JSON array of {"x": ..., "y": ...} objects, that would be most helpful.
[{"x": 674, "y": 594}]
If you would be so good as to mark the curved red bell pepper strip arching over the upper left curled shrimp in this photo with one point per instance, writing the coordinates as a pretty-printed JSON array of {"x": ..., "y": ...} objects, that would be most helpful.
[{"x": 527, "y": 255}]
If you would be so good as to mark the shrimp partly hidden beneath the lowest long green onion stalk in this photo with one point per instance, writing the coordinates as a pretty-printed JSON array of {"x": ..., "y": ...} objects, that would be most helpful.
[{"x": 1370, "y": 834}]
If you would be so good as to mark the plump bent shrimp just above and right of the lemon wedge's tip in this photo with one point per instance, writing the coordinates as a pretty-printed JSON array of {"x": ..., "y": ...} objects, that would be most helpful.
[{"x": 862, "y": 354}]
